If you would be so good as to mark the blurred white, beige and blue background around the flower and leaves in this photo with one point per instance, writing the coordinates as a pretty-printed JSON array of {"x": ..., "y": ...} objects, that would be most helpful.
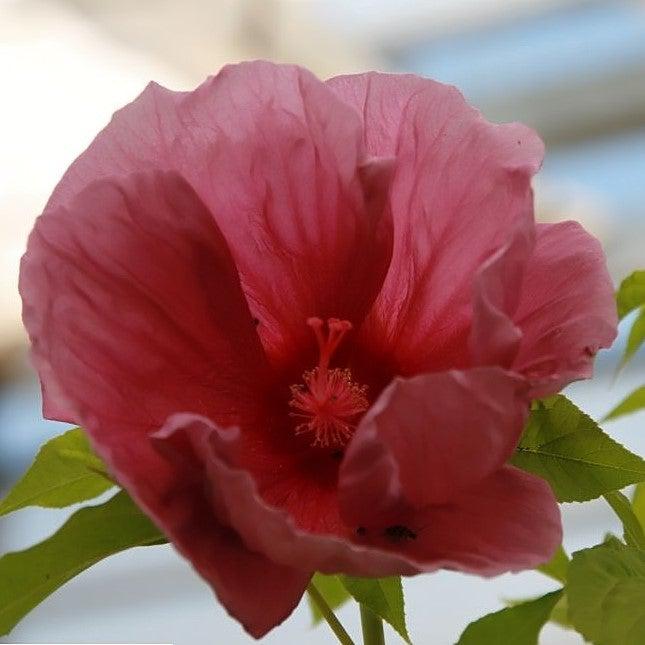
[{"x": 572, "y": 69}]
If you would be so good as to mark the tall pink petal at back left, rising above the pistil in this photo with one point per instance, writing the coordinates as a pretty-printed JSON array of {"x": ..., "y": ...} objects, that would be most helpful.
[{"x": 279, "y": 161}]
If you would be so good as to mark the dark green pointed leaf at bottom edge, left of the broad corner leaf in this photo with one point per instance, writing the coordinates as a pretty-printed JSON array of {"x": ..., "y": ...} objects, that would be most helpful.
[{"x": 517, "y": 625}]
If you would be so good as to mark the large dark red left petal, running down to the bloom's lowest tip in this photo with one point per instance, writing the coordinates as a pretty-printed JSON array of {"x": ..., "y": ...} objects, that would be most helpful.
[{"x": 134, "y": 309}]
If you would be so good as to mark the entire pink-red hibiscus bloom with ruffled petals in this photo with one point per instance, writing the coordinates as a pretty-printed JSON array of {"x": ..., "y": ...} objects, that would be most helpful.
[{"x": 302, "y": 323}]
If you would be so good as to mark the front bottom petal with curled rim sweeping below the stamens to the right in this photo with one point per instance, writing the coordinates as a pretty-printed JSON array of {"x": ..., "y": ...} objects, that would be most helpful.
[{"x": 509, "y": 522}]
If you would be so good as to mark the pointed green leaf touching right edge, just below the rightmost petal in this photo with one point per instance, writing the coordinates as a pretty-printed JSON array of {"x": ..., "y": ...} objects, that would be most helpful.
[{"x": 568, "y": 449}]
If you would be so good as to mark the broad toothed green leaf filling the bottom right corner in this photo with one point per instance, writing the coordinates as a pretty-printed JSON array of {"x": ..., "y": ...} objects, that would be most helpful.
[{"x": 606, "y": 592}]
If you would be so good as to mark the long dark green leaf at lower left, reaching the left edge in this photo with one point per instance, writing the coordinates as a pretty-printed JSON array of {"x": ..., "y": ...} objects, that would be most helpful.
[{"x": 90, "y": 535}]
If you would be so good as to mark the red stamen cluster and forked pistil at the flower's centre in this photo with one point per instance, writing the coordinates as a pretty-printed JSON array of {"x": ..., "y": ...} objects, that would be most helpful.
[{"x": 328, "y": 401}]
